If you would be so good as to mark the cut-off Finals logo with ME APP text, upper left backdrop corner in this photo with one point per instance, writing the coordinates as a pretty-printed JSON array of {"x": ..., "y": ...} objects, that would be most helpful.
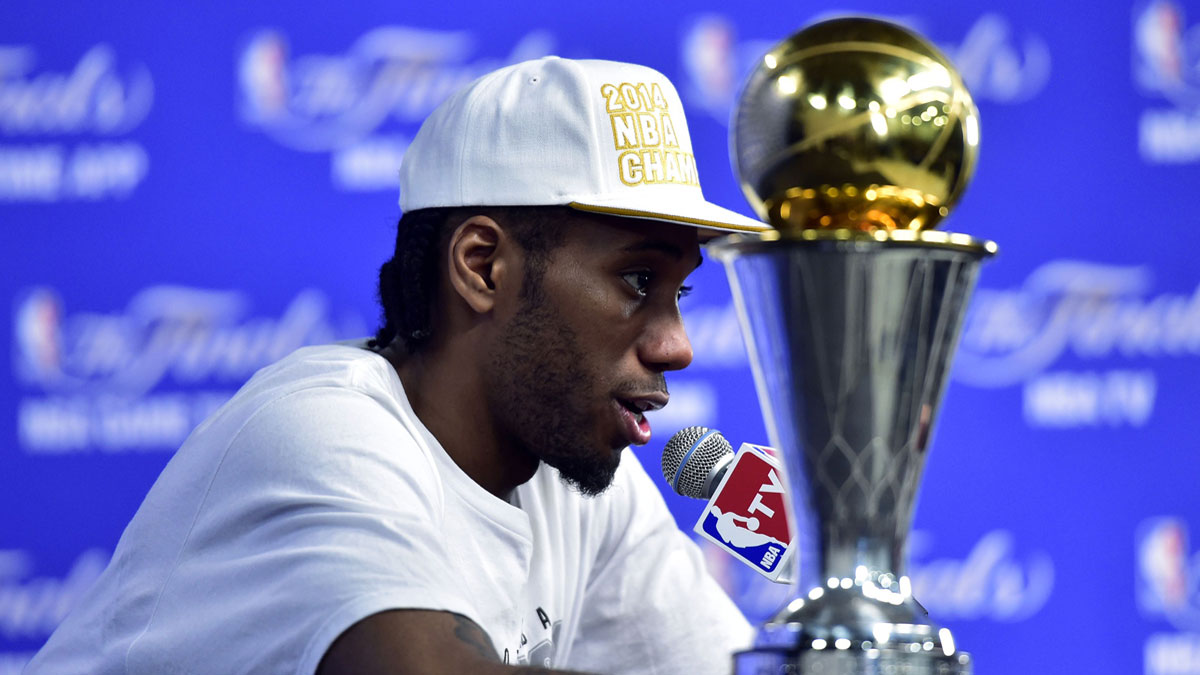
[{"x": 63, "y": 130}]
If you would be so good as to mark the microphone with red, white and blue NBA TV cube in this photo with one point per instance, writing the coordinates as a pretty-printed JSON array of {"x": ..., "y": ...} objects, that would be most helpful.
[{"x": 747, "y": 512}]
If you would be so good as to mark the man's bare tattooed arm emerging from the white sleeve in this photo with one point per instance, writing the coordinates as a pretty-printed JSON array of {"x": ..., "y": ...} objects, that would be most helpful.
[{"x": 423, "y": 642}]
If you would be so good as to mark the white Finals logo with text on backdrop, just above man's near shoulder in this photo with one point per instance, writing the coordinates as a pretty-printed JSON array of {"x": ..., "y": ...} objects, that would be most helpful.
[{"x": 141, "y": 379}]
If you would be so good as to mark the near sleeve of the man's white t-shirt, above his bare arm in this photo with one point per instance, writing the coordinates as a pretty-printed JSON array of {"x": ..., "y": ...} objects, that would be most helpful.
[{"x": 323, "y": 511}]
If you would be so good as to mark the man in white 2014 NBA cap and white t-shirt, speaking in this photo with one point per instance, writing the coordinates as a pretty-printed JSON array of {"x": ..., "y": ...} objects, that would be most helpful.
[{"x": 453, "y": 497}]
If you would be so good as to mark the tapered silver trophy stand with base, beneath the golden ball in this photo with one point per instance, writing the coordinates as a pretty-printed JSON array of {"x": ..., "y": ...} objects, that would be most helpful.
[{"x": 851, "y": 342}]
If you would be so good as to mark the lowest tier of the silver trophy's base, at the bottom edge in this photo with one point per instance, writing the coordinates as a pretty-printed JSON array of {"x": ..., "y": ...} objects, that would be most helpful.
[{"x": 898, "y": 660}]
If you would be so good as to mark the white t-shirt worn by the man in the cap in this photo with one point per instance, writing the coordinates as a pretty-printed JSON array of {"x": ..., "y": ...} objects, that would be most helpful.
[{"x": 316, "y": 498}]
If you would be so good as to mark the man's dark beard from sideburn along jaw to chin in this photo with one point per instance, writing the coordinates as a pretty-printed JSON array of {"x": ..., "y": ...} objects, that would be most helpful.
[{"x": 542, "y": 395}]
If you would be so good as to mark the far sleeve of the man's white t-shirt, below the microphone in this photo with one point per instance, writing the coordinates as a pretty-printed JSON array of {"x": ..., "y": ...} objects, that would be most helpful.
[{"x": 651, "y": 606}]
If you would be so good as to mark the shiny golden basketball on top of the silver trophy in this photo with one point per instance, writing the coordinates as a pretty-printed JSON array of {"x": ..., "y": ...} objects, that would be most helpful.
[{"x": 855, "y": 124}]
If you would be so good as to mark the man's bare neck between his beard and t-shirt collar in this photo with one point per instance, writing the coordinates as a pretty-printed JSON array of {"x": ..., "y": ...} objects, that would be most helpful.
[{"x": 453, "y": 404}]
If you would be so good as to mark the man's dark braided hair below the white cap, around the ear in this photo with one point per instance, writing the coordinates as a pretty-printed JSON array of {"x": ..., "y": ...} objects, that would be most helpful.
[{"x": 409, "y": 283}]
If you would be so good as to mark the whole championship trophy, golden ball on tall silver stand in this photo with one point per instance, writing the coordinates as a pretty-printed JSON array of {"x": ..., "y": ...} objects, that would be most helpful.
[{"x": 854, "y": 139}]
